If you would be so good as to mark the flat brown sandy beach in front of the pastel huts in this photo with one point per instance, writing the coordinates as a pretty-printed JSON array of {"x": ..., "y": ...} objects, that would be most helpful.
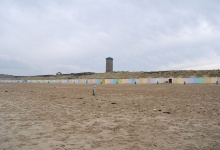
[{"x": 67, "y": 116}]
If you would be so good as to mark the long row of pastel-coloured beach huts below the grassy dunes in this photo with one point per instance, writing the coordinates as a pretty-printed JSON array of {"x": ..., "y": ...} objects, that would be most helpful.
[{"x": 205, "y": 80}]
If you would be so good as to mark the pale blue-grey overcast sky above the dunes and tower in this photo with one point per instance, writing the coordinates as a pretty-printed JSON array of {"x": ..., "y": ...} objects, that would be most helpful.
[{"x": 71, "y": 36}]
